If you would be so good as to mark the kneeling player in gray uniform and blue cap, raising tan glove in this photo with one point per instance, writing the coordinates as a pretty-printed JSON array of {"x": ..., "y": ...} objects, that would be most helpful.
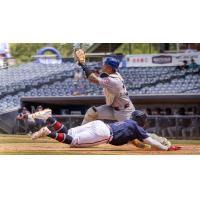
[{"x": 118, "y": 104}]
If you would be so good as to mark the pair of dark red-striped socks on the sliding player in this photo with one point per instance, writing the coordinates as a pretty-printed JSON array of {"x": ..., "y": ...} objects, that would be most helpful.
[{"x": 60, "y": 132}]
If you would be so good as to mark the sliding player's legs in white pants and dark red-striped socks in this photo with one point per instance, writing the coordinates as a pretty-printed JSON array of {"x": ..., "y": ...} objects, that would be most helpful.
[{"x": 90, "y": 134}]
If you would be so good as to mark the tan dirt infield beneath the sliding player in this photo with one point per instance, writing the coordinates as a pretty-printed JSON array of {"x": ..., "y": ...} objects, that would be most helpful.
[{"x": 23, "y": 145}]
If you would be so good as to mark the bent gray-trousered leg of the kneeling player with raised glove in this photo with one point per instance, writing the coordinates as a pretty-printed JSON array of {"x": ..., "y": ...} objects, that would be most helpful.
[{"x": 100, "y": 112}]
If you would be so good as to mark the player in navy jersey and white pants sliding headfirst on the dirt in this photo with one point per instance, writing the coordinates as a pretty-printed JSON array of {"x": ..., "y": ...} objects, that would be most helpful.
[{"x": 95, "y": 133}]
